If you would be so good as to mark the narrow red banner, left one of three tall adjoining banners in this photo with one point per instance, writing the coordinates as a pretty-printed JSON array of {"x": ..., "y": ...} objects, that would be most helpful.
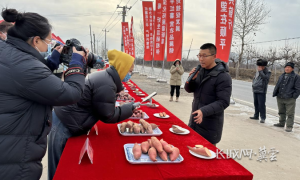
[{"x": 148, "y": 30}]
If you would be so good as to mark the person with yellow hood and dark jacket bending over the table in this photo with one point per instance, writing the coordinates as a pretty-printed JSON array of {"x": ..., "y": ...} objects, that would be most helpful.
[{"x": 97, "y": 103}]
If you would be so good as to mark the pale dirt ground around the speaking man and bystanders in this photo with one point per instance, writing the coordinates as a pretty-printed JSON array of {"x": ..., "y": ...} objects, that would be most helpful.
[{"x": 241, "y": 133}]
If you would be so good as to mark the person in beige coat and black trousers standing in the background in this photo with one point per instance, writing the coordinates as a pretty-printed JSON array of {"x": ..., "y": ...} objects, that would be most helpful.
[{"x": 175, "y": 80}]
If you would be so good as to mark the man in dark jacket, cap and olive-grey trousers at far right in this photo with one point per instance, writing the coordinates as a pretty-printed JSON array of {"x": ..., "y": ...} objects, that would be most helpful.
[{"x": 287, "y": 91}]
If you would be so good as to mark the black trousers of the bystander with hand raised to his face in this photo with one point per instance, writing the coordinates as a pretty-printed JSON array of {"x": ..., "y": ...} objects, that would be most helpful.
[{"x": 260, "y": 105}]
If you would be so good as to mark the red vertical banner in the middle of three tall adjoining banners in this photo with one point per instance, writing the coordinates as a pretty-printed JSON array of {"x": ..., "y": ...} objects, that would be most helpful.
[{"x": 160, "y": 30}]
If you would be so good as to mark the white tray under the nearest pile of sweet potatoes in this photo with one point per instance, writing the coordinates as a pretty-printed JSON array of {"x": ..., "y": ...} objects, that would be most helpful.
[{"x": 144, "y": 159}]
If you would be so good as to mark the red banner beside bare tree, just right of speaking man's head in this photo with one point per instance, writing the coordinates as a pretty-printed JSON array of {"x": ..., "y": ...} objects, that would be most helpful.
[{"x": 224, "y": 28}]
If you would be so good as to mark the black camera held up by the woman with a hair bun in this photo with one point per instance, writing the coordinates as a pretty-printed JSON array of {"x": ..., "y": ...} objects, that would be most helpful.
[{"x": 66, "y": 54}]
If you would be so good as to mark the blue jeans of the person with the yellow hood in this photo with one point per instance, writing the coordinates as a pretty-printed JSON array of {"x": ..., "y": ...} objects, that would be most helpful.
[{"x": 57, "y": 140}]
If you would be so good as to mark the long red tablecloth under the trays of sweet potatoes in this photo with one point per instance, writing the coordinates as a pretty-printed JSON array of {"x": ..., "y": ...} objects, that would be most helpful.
[{"x": 110, "y": 161}]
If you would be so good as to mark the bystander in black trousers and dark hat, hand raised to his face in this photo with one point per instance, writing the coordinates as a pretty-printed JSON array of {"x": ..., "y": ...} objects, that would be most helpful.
[{"x": 259, "y": 87}]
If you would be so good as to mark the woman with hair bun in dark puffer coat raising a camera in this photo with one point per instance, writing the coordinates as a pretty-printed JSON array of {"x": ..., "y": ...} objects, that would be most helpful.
[{"x": 28, "y": 92}]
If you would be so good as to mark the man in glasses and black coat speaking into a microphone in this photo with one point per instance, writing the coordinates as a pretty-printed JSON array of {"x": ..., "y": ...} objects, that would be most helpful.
[{"x": 212, "y": 87}]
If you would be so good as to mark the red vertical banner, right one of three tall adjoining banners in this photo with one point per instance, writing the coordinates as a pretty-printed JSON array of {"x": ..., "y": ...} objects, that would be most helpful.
[{"x": 174, "y": 24}]
